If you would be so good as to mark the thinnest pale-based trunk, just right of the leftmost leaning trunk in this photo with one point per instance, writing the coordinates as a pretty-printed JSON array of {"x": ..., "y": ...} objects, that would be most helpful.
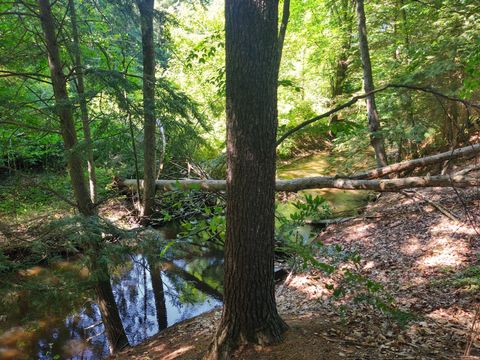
[{"x": 92, "y": 179}]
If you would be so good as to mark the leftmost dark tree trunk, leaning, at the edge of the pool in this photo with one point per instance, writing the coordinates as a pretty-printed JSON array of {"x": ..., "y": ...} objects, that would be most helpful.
[{"x": 64, "y": 110}]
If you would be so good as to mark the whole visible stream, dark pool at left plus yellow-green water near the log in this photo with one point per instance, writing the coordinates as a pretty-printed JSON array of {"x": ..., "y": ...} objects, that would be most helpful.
[{"x": 53, "y": 314}]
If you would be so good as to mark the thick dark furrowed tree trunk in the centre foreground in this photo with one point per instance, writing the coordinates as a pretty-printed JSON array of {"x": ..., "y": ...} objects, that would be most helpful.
[{"x": 250, "y": 314}]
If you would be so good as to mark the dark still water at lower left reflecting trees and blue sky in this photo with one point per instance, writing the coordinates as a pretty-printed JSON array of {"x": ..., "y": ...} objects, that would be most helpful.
[{"x": 60, "y": 323}]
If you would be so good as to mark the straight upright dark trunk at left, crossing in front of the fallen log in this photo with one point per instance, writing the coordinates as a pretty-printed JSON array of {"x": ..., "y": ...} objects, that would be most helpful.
[{"x": 146, "y": 14}]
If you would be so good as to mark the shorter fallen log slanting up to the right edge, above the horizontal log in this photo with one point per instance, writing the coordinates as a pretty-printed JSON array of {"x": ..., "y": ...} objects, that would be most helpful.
[{"x": 465, "y": 152}]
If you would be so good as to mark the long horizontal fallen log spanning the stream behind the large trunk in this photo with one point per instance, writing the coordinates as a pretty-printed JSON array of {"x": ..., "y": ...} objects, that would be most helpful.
[{"x": 324, "y": 182}]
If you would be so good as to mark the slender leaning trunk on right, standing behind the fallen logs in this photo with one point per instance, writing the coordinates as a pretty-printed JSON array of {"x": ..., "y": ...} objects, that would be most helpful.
[{"x": 376, "y": 138}]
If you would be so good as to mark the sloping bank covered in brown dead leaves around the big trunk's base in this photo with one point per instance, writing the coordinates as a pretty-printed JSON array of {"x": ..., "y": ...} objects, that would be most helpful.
[{"x": 425, "y": 256}]
